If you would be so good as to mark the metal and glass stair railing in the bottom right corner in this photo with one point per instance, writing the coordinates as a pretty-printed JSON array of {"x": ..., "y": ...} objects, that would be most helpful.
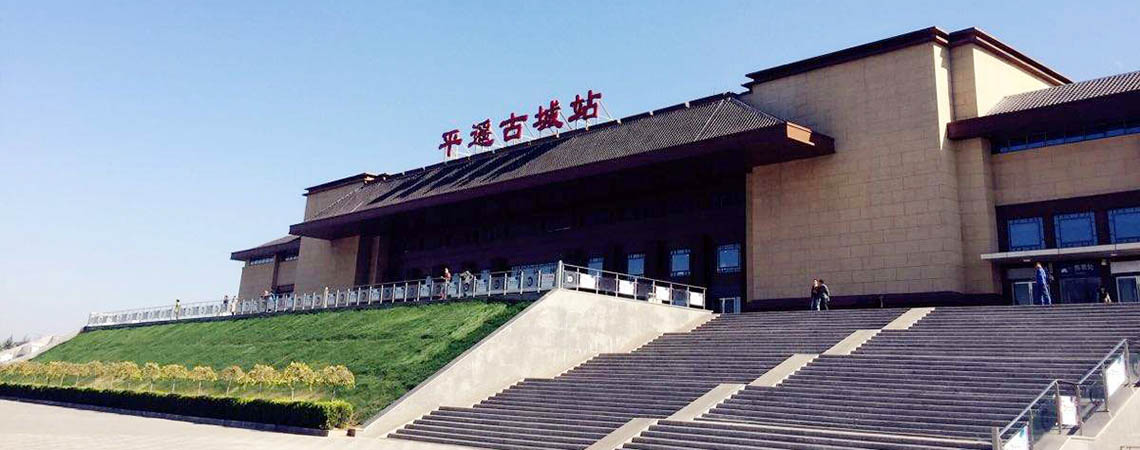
[{"x": 1065, "y": 405}]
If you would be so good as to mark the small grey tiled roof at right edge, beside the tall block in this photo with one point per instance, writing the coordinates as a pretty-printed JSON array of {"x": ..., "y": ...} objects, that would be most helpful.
[{"x": 1108, "y": 86}]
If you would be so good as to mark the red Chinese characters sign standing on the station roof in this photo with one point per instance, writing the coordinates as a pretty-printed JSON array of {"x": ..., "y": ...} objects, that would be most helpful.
[{"x": 548, "y": 118}]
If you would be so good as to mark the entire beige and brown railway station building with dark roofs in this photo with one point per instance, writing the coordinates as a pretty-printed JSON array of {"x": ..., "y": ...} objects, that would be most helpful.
[{"x": 930, "y": 168}]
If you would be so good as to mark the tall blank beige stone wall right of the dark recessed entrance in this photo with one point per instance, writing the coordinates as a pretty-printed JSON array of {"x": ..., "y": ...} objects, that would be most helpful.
[{"x": 881, "y": 216}]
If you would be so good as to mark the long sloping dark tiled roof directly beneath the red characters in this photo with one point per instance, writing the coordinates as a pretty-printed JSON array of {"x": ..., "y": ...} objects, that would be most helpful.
[{"x": 712, "y": 118}]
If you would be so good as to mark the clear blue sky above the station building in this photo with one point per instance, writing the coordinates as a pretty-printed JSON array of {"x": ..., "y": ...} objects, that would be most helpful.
[{"x": 141, "y": 143}]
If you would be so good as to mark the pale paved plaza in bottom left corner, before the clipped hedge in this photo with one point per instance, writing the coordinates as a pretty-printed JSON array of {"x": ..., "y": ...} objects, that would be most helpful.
[{"x": 30, "y": 427}]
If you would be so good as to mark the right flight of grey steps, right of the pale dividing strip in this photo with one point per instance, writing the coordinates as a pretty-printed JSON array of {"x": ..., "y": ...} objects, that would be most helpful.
[{"x": 956, "y": 374}]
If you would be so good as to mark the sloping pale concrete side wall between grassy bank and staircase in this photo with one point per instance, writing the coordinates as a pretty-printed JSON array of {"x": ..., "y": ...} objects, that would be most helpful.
[{"x": 560, "y": 331}]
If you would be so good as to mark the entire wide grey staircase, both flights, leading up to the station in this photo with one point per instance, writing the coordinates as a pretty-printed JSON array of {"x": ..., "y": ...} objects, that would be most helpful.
[{"x": 942, "y": 382}]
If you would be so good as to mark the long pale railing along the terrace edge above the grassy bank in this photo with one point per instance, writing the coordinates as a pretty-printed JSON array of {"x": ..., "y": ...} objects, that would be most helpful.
[{"x": 460, "y": 287}]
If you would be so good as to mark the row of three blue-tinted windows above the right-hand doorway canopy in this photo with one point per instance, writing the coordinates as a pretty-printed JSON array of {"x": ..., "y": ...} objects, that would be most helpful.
[{"x": 1074, "y": 230}]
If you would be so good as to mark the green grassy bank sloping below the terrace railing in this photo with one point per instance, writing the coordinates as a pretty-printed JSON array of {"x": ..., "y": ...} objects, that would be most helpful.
[{"x": 390, "y": 350}]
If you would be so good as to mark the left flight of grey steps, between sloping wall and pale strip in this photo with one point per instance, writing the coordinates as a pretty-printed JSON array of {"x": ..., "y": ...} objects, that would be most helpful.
[{"x": 588, "y": 403}]
